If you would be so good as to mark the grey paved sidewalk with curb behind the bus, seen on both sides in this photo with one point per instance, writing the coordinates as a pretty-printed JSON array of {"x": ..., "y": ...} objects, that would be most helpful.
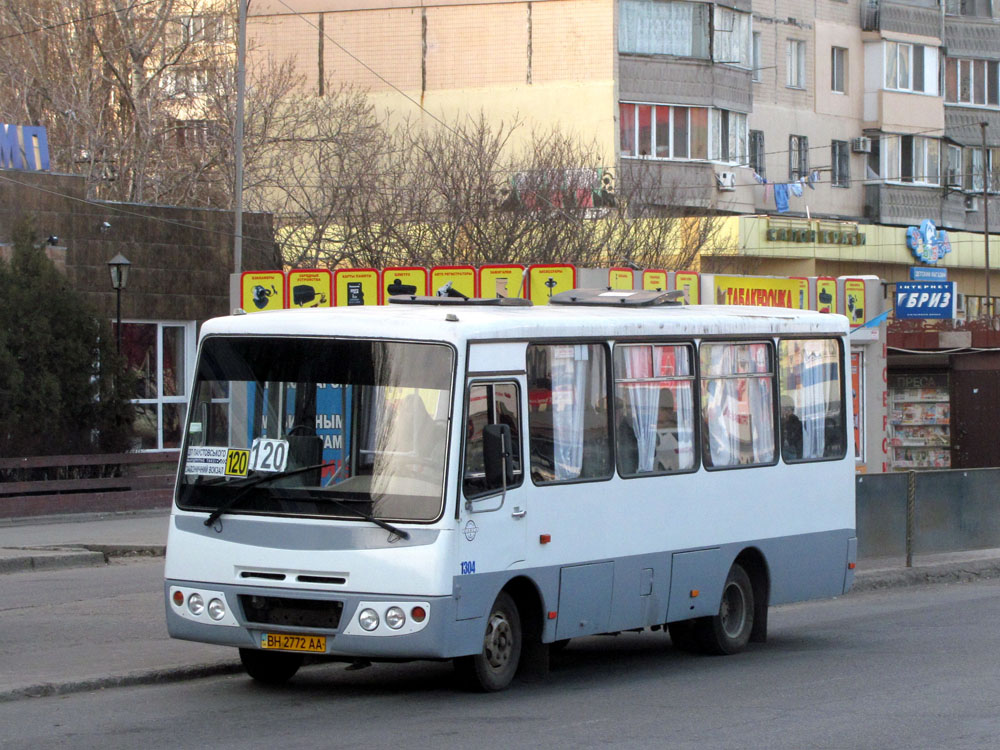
[{"x": 61, "y": 640}]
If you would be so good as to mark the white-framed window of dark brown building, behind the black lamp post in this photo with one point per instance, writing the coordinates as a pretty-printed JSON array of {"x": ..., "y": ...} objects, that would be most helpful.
[{"x": 157, "y": 356}]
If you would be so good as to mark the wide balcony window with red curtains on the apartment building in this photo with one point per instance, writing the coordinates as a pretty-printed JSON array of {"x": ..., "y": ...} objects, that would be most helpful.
[{"x": 662, "y": 131}]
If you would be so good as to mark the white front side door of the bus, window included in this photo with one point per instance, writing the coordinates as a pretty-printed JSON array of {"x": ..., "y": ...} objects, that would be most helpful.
[{"x": 493, "y": 517}]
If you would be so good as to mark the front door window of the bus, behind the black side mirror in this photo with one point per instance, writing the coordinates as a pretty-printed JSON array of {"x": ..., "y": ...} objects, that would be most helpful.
[{"x": 489, "y": 403}]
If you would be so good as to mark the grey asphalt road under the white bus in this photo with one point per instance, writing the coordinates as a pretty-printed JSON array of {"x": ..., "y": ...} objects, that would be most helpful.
[{"x": 903, "y": 668}]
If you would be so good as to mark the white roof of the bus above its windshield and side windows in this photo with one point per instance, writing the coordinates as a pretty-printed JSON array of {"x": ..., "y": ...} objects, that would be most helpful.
[{"x": 460, "y": 323}]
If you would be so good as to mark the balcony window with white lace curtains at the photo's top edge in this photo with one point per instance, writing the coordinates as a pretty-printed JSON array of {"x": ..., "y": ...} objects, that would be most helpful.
[{"x": 646, "y": 27}]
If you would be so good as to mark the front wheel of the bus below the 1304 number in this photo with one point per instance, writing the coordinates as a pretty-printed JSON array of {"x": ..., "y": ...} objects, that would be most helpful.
[{"x": 494, "y": 668}]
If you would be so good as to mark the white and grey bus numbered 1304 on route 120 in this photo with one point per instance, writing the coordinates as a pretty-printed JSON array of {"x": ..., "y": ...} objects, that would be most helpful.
[{"x": 479, "y": 480}]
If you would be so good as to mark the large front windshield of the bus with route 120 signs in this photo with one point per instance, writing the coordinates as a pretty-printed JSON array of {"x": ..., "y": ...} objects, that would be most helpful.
[{"x": 318, "y": 427}]
